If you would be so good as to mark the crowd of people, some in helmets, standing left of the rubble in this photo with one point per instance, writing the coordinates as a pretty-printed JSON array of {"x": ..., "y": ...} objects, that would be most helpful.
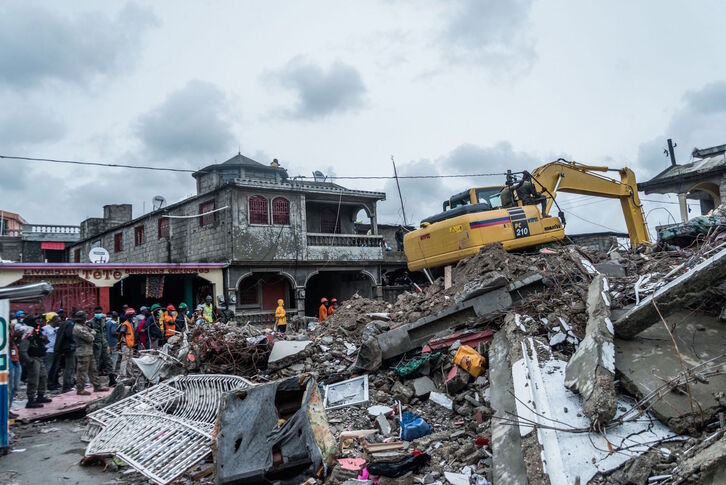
[{"x": 53, "y": 352}]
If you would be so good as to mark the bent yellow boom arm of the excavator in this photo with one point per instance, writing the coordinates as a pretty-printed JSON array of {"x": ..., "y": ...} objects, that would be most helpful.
[{"x": 576, "y": 178}]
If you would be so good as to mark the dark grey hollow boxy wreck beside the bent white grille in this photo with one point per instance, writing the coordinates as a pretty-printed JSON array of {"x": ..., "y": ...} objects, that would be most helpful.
[{"x": 252, "y": 445}]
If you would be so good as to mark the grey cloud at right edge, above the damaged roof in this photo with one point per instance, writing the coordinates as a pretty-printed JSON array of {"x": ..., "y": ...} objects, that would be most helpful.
[{"x": 697, "y": 123}]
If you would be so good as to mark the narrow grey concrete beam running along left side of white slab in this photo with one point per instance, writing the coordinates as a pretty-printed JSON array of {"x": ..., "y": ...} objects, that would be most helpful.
[{"x": 506, "y": 441}]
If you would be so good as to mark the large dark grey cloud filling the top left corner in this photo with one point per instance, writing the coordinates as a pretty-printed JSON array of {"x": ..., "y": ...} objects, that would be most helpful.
[{"x": 37, "y": 44}]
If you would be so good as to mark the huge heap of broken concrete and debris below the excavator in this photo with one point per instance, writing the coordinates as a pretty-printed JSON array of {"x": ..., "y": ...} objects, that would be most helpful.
[{"x": 527, "y": 369}]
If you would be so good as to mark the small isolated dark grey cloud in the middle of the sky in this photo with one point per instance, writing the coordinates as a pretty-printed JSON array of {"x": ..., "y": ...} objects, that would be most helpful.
[{"x": 321, "y": 92}]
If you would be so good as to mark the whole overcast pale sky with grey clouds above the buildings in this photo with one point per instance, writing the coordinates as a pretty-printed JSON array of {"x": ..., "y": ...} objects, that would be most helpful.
[{"x": 467, "y": 86}]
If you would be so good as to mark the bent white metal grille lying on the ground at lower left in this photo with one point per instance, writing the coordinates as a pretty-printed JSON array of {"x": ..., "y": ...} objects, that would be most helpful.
[{"x": 164, "y": 430}]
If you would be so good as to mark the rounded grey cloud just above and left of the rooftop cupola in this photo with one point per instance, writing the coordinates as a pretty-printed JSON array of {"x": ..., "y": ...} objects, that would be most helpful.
[{"x": 192, "y": 123}]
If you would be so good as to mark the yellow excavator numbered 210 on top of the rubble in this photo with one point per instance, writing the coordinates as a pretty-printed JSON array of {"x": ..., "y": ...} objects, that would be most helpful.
[{"x": 517, "y": 214}]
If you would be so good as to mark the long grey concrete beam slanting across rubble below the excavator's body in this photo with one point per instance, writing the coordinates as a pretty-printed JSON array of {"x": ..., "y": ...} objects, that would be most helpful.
[{"x": 412, "y": 335}]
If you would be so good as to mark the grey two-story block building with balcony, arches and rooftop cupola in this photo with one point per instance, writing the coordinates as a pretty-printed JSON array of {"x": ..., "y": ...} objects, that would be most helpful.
[{"x": 281, "y": 238}]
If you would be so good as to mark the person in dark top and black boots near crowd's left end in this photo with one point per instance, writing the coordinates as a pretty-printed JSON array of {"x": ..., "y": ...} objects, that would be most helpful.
[{"x": 32, "y": 354}]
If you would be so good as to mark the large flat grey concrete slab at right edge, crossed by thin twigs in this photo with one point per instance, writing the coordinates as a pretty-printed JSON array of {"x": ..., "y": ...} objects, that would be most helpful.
[{"x": 644, "y": 364}]
